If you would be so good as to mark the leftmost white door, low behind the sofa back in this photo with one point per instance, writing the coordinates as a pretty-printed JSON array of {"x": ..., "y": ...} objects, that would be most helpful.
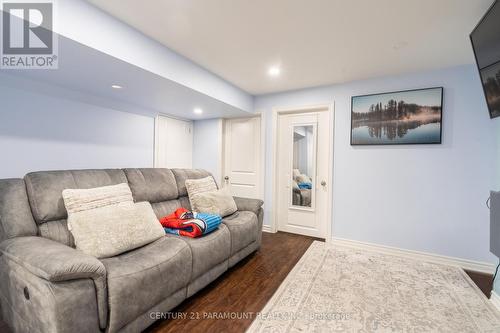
[{"x": 173, "y": 143}]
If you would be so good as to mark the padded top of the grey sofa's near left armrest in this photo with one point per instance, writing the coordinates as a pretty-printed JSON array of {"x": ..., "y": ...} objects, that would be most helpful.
[{"x": 57, "y": 262}]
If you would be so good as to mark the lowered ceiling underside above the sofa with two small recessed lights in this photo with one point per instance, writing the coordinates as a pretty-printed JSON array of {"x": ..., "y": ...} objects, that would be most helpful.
[{"x": 86, "y": 74}]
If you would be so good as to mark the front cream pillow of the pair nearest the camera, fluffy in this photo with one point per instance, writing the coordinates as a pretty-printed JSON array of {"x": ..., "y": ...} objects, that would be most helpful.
[{"x": 108, "y": 231}]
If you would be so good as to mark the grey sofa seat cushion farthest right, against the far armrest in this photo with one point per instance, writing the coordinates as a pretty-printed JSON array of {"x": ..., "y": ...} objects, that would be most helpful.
[{"x": 243, "y": 228}]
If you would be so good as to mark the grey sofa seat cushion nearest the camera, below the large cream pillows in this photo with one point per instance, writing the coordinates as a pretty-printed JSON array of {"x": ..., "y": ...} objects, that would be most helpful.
[{"x": 142, "y": 278}]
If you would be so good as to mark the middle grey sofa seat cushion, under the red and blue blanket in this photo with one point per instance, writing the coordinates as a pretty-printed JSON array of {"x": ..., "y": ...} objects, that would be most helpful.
[{"x": 209, "y": 250}]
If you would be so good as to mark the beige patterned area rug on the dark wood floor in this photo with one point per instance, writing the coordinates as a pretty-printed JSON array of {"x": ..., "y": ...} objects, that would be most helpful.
[{"x": 341, "y": 289}]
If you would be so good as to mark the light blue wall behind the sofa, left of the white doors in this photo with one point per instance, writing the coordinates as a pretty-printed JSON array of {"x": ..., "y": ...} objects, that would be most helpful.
[{"x": 39, "y": 132}]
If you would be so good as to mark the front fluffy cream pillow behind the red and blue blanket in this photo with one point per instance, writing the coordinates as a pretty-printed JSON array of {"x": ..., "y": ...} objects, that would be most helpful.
[{"x": 218, "y": 202}]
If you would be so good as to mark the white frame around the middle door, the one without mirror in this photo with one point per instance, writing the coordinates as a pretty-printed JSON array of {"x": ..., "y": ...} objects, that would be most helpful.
[{"x": 262, "y": 167}]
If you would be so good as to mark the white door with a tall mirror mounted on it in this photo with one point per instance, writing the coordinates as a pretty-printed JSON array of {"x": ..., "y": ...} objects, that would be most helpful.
[{"x": 303, "y": 171}]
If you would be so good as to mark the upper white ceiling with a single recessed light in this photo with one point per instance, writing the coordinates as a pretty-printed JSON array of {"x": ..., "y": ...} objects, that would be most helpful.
[{"x": 315, "y": 42}]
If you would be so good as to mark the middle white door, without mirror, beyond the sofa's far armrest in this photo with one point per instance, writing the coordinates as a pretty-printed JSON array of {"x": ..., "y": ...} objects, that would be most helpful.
[{"x": 242, "y": 157}]
